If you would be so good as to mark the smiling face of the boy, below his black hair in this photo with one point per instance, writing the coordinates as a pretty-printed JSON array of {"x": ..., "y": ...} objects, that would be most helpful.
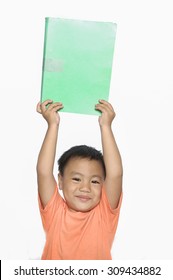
[{"x": 82, "y": 183}]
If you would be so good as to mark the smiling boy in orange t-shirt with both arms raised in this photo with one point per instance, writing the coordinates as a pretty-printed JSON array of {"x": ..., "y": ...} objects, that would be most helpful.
[{"x": 82, "y": 225}]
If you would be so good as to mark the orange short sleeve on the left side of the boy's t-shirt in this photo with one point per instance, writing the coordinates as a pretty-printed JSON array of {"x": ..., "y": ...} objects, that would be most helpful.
[{"x": 47, "y": 213}]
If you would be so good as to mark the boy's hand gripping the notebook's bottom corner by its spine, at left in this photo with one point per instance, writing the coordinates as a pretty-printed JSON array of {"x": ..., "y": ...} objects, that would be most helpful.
[{"x": 50, "y": 113}]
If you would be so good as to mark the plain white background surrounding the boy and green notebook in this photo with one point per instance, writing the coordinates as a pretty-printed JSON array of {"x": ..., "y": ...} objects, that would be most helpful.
[{"x": 141, "y": 93}]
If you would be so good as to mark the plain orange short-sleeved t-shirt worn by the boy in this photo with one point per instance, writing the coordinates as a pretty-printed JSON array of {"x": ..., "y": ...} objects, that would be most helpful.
[{"x": 78, "y": 235}]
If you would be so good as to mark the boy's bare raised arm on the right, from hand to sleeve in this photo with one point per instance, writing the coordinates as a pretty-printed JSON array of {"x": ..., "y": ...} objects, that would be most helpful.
[{"x": 112, "y": 158}]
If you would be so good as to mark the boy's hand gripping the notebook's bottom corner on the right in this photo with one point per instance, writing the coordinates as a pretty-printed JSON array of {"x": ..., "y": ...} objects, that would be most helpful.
[{"x": 108, "y": 113}]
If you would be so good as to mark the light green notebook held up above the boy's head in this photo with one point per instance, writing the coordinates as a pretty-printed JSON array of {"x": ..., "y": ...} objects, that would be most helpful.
[{"x": 77, "y": 63}]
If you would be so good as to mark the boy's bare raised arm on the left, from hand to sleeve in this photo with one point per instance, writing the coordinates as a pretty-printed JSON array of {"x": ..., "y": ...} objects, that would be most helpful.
[{"x": 46, "y": 158}]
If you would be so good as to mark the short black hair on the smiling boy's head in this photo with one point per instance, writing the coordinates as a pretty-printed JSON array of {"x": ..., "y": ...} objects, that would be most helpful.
[{"x": 82, "y": 151}]
